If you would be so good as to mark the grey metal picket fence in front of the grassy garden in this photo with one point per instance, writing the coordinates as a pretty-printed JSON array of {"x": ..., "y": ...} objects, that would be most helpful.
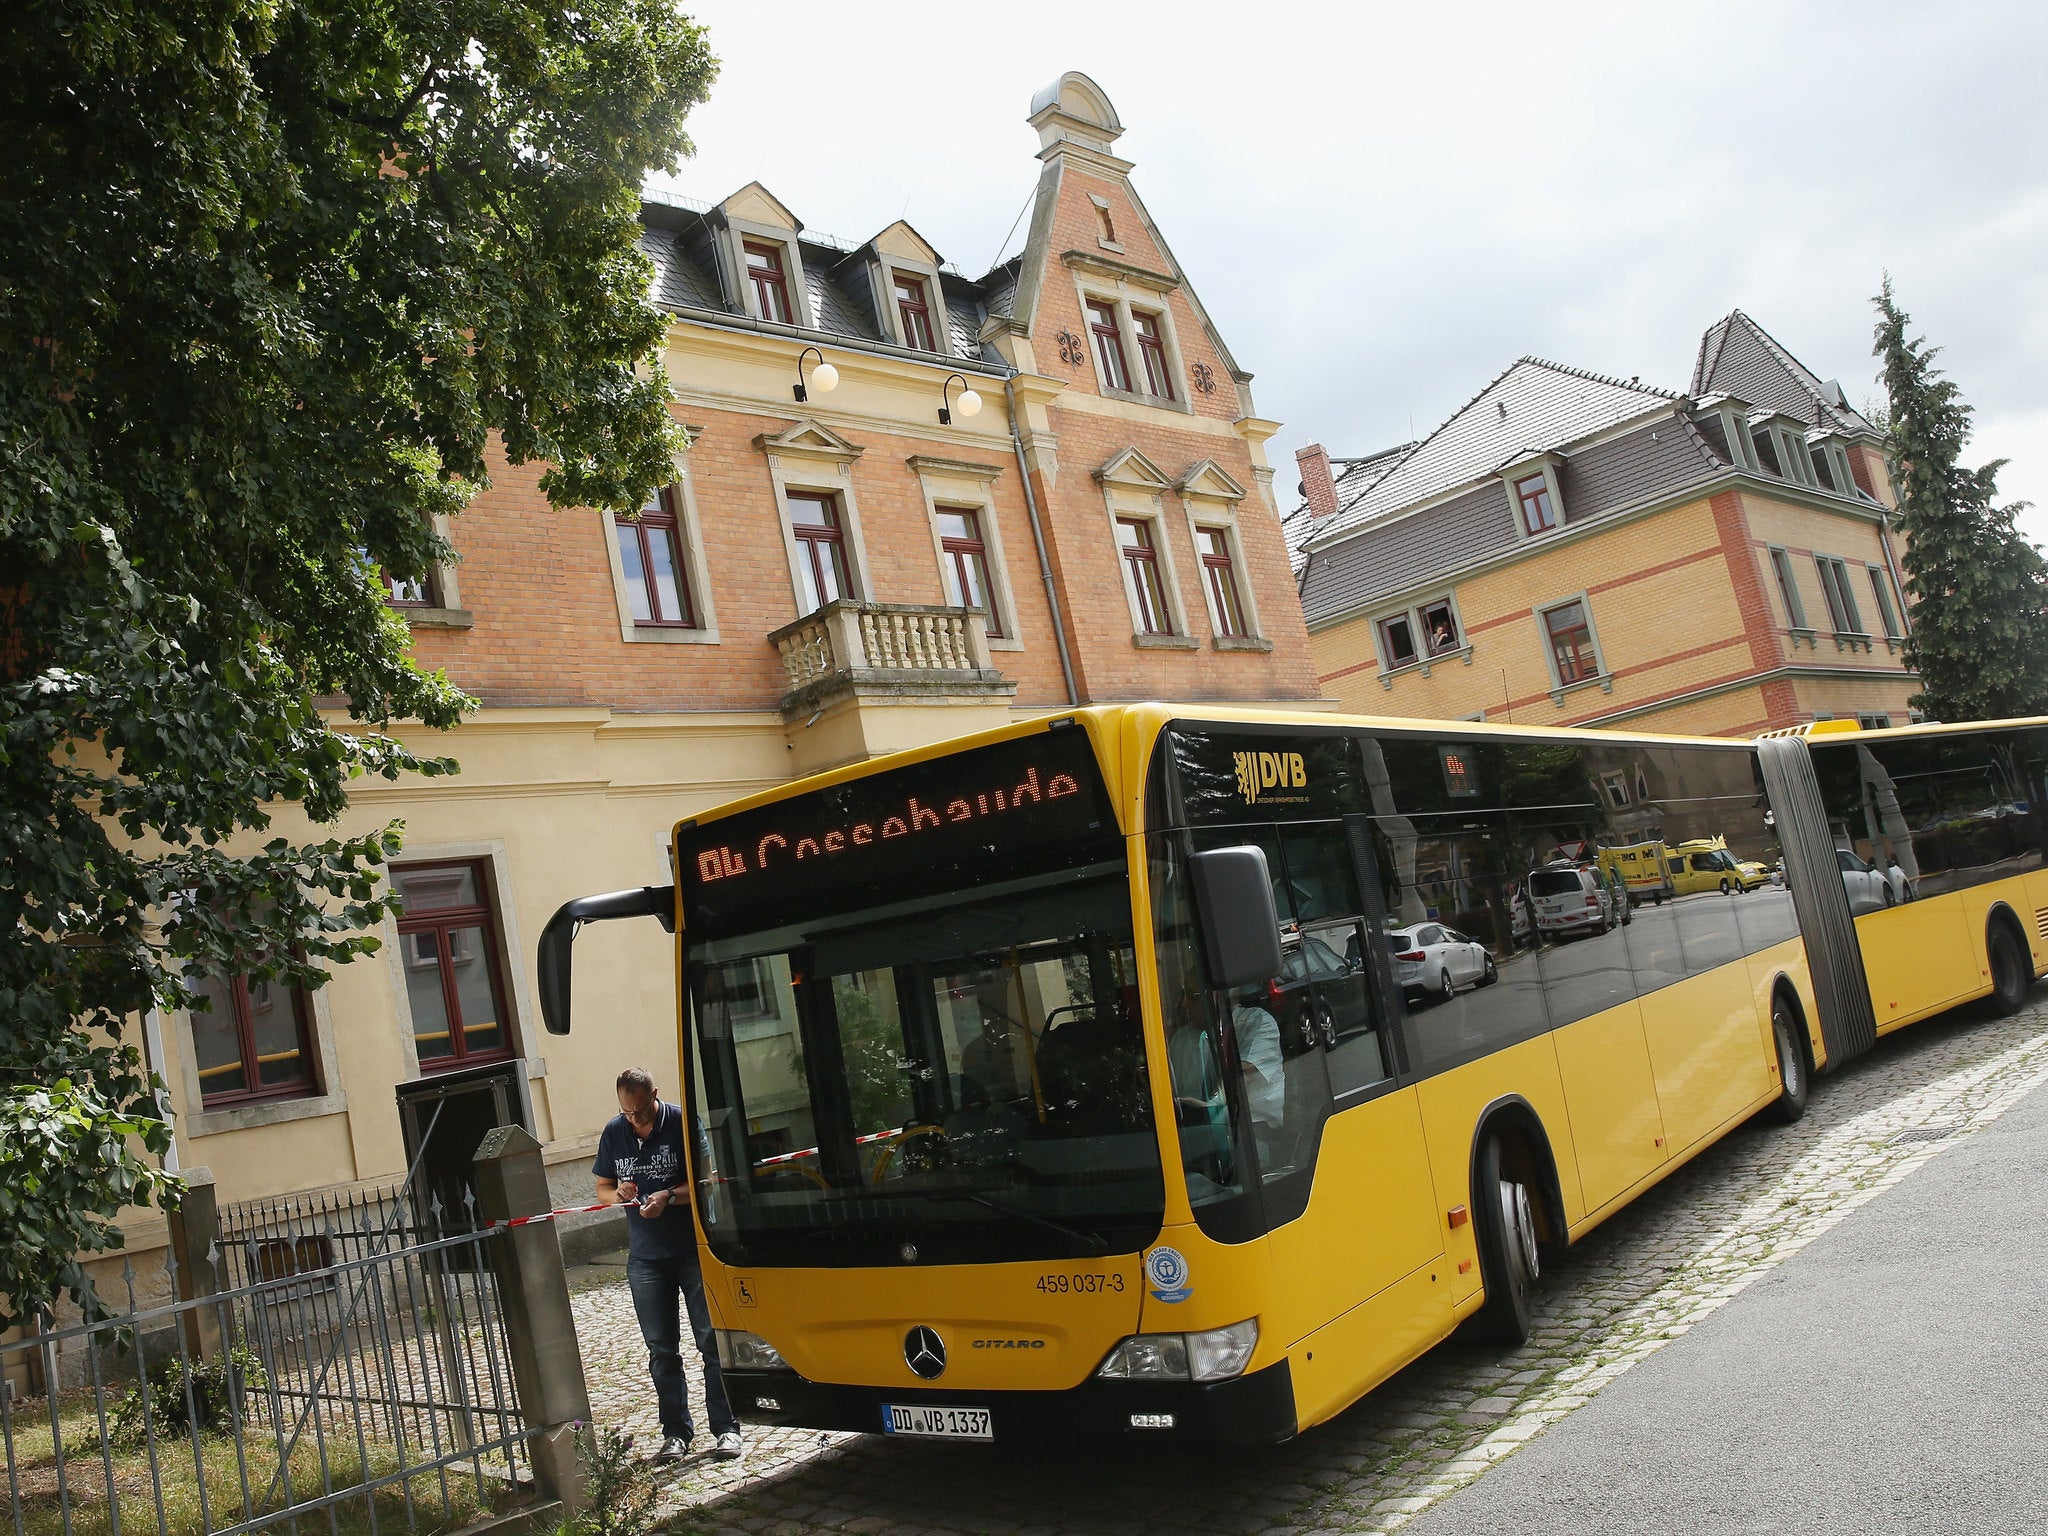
[{"x": 353, "y": 1375}]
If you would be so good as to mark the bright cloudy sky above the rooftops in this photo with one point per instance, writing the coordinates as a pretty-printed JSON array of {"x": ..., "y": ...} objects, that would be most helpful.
[{"x": 1385, "y": 206}]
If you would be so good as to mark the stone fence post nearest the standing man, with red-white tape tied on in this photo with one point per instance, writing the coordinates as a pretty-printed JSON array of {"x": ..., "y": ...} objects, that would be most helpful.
[{"x": 534, "y": 1291}]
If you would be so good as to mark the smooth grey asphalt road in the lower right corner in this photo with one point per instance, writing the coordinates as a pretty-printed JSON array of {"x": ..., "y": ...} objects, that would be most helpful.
[{"x": 1891, "y": 1377}]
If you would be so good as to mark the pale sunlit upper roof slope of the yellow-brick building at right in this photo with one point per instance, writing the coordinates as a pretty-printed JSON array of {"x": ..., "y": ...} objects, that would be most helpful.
[{"x": 1529, "y": 409}]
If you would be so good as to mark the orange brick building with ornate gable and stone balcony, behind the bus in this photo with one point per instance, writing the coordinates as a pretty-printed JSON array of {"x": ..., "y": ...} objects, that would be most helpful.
[{"x": 841, "y": 566}]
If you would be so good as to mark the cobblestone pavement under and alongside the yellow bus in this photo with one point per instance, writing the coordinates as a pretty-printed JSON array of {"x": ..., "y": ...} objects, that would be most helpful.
[{"x": 1629, "y": 1289}]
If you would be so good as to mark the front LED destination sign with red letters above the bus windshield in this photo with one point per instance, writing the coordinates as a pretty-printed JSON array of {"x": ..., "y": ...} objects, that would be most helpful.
[{"x": 992, "y": 814}]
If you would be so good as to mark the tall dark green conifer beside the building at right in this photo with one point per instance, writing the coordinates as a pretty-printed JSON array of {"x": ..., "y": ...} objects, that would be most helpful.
[{"x": 1979, "y": 589}]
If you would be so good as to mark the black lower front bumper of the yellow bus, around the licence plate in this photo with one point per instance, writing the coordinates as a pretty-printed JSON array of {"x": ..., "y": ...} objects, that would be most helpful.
[{"x": 1248, "y": 1410}]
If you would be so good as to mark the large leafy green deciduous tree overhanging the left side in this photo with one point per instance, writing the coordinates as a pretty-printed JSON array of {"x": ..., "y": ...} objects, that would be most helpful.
[{"x": 275, "y": 280}]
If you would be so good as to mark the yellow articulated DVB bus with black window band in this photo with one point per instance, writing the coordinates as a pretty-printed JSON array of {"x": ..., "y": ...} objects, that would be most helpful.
[{"x": 1062, "y": 1080}]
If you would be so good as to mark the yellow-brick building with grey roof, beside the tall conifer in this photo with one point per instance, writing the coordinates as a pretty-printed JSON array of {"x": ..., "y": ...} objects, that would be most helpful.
[{"x": 1578, "y": 550}]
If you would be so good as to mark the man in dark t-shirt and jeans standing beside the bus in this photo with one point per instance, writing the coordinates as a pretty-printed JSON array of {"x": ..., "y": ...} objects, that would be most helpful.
[{"x": 640, "y": 1164}]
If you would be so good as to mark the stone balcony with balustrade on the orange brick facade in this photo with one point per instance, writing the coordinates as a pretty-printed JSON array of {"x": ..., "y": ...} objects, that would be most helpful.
[{"x": 853, "y": 654}]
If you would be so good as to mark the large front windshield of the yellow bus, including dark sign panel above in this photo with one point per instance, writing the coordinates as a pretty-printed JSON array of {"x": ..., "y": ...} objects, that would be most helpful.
[{"x": 935, "y": 1056}]
